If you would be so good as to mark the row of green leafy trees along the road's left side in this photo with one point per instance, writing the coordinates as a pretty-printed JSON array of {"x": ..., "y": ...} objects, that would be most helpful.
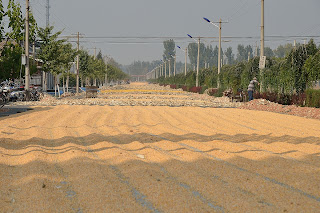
[{"x": 56, "y": 54}]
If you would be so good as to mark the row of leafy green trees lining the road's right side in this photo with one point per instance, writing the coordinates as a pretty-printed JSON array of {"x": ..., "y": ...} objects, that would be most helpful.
[{"x": 289, "y": 70}]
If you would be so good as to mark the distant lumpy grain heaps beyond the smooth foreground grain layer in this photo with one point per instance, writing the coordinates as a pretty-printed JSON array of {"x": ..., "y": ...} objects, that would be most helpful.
[{"x": 137, "y": 95}]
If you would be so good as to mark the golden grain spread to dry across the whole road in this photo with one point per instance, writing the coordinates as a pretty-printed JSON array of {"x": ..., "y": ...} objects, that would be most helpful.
[{"x": 146, "y": 148}]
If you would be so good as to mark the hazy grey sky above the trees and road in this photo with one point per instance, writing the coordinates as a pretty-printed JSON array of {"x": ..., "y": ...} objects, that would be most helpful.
[{"x": 175, "y": 19}]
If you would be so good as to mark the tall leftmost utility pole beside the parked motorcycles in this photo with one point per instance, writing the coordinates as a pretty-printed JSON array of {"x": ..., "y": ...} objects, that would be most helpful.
[{"x": 27, "y": 68}]
